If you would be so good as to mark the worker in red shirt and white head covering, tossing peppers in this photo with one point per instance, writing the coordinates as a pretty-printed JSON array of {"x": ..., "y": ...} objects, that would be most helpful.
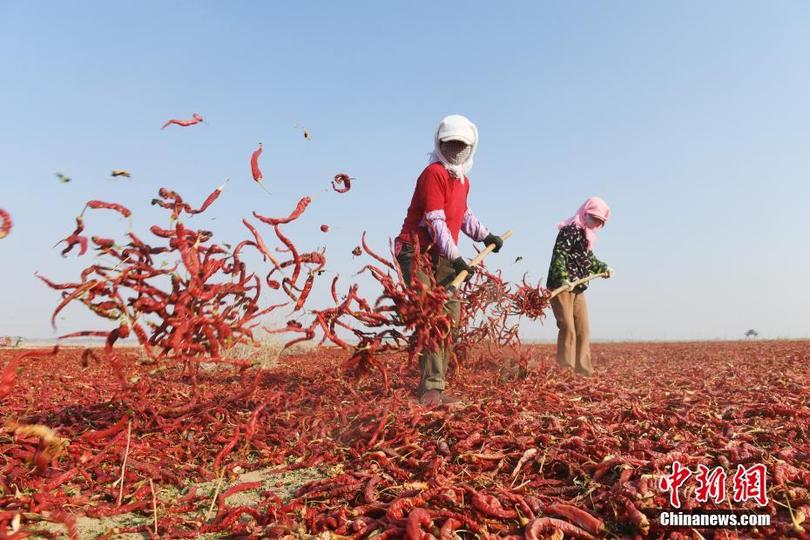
[{"x": 438, "y": 212}]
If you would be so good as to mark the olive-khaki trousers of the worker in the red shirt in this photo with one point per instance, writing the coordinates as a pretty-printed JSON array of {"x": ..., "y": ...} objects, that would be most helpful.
[{"x": 432, "y": 363}]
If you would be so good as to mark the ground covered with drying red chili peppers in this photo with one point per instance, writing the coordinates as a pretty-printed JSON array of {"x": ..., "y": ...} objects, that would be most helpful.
[{"x": 303, "y": 449}]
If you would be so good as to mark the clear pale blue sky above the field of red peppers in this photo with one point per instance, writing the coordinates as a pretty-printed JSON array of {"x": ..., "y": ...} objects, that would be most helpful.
[{"x": 690, "y": 118}]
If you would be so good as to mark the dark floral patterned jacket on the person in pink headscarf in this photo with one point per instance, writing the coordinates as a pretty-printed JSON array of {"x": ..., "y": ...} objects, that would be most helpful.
[{"x": 571, "y": 259}]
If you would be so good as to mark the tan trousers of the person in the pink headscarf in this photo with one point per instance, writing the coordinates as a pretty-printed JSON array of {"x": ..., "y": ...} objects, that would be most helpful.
[{"x": 573, "y": 339}]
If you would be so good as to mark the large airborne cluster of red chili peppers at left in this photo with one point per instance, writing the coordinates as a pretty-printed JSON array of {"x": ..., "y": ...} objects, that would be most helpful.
[{"x": 199, "y": 301}]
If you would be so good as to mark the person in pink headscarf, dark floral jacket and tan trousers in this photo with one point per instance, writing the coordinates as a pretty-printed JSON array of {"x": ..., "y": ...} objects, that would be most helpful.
[{"x": 571, "y": 260}]
